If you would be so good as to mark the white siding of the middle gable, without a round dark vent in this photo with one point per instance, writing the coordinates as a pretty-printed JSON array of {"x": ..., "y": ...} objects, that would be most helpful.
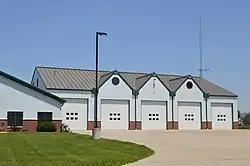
[{"x": 158, "y": 93}]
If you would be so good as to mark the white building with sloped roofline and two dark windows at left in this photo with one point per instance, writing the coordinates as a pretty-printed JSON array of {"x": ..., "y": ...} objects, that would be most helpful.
[{"x": 23, "y": 104}]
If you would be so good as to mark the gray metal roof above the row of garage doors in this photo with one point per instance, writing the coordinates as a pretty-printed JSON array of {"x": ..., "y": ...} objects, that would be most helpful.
[{"x": 81, "y": 79}]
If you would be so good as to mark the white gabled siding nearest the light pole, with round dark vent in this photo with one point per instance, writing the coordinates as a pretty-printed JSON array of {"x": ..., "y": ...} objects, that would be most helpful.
[{"x": 118, "y": 92}]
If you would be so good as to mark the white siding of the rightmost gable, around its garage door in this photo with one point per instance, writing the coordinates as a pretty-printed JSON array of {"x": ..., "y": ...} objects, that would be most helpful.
[{"x": 189, "y": 95}]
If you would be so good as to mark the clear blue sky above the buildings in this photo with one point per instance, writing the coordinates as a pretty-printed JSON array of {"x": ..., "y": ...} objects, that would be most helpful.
[{"x": 149, "y": 36}]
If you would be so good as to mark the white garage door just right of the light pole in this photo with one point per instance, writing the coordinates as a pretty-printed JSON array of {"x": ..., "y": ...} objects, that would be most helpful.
[{"x": 114, "y": 114}]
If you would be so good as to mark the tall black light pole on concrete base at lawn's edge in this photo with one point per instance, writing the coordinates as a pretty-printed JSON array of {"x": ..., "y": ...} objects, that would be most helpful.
[{"x": 96, "y": 130}]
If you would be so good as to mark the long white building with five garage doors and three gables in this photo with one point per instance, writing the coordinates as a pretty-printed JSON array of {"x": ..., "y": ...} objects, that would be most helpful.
[{"x": 129, "y": 101}]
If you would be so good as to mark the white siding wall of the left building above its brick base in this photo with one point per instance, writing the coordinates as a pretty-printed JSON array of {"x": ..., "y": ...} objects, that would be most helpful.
[{"x": 16, "y": 97}]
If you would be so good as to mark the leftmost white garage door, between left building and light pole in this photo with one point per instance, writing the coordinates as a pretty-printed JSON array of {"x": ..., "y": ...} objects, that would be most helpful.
[{"x": 75, "y": 113}]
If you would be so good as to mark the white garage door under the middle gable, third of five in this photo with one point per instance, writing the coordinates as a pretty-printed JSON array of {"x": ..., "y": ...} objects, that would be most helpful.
[{"x": 154, "y": 115}]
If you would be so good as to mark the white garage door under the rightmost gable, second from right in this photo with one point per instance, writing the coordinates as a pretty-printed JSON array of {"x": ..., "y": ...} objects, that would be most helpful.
[{"x": 189, "y": 115}]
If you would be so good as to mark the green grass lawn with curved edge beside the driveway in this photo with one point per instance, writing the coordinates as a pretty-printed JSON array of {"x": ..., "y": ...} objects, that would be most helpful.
[{"x": 64, "y": 149}]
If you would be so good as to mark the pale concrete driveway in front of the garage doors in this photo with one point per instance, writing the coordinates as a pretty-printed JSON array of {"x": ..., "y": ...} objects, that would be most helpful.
[{"x": 190, "y": 148}]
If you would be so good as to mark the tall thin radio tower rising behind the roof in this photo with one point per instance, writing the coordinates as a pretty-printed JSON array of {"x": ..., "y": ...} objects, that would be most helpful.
[{"x": 201, "y": 69}]
